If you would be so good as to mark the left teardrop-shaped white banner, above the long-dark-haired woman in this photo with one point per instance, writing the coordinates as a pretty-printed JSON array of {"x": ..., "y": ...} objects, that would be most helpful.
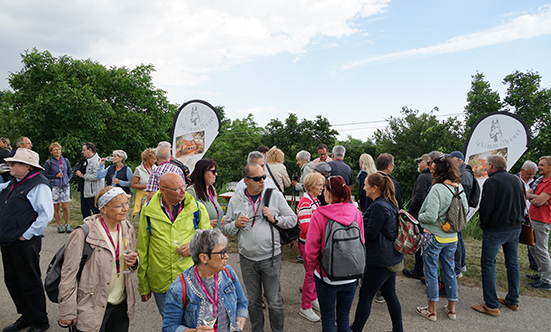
[{"x": 196, "y": 125}]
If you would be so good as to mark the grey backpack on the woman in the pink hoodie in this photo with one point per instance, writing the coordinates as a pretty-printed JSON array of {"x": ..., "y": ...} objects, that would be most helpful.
[{"x": 344, "y": 252}]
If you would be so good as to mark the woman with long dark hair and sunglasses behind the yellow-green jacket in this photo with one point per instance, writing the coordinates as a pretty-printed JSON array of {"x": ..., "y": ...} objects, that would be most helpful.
[{"x": 202, "y": 189}]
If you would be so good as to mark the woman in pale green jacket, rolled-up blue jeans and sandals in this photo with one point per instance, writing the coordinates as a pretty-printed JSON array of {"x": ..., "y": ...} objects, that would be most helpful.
[{"x": 439, "y": 246}]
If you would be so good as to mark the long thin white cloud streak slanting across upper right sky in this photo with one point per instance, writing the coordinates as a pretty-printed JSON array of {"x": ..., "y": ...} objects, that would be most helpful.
[{"x": 521, "y": 27}]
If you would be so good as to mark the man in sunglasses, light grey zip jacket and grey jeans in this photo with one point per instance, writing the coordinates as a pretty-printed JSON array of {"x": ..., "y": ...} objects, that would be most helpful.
[{"x": 252, "y": 220}]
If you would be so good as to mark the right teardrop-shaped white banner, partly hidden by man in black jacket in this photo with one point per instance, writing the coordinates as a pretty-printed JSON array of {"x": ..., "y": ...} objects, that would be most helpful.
[{"x": 497, "y": 133}]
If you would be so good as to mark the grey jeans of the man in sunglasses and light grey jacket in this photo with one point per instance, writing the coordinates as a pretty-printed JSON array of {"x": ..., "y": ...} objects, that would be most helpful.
[{"x": 256, "y": 275}]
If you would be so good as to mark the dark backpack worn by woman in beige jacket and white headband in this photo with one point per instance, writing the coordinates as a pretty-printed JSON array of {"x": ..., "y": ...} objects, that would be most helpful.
[{"x": 53, "y": 274}]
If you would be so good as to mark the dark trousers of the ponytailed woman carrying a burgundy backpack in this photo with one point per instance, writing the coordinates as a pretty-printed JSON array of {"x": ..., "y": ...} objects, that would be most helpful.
[{"x": 376, "y": 278}]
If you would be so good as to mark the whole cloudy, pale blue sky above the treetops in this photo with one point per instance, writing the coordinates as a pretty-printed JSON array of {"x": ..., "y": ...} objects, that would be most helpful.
[{"x": 351, "y": 61}]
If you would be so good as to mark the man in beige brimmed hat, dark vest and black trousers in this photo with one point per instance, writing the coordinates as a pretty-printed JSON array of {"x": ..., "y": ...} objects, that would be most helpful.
[{"x": 26, "y": 208}]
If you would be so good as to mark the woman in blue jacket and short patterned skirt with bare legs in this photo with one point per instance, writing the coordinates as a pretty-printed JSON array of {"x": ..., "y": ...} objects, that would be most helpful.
[{"x": 58, "y": 170}]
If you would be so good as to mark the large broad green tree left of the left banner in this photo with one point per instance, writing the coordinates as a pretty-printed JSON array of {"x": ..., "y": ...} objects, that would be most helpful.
[{"x": 73, "y": 101}]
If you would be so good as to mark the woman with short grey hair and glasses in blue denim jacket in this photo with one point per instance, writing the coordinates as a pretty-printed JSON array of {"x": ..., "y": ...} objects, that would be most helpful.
[{"x": 213, "y": 299}]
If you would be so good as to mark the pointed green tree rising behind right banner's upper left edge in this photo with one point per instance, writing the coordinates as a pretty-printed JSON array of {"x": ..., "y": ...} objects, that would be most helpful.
[{"x": 481, "y": 100}]
